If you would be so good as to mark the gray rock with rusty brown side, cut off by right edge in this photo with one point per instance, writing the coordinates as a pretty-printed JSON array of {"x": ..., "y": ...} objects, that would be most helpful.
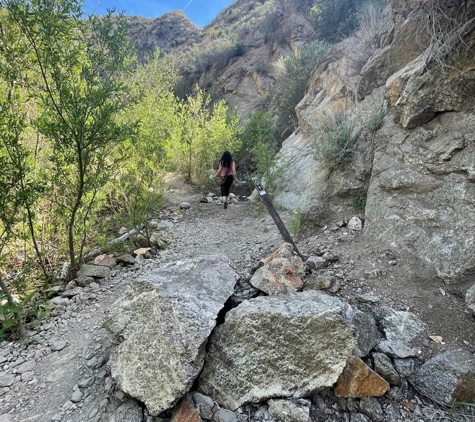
[{"x": 447, "y": 377}]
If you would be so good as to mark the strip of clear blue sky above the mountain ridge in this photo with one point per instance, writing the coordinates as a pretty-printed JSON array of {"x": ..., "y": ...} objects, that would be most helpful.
[{"x": 200, "y": 12}]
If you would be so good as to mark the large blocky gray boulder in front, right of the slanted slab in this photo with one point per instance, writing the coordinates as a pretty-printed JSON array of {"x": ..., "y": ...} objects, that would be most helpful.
[{"x": 282, "y": 346}]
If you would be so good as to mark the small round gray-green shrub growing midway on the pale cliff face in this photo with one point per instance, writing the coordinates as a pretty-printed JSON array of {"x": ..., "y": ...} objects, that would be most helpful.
[{"x": 335, "y": 141}]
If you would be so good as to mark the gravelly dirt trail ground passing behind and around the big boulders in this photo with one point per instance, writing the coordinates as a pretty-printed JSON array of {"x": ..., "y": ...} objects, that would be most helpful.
[{"x": 63, "y": 377}]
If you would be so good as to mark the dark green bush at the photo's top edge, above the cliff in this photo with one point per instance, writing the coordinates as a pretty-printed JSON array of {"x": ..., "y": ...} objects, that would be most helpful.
[{"x": 335, "y": 20}]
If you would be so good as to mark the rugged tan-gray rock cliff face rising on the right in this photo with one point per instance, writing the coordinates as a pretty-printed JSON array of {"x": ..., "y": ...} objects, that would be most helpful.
[{"x": 417, "y": 170}]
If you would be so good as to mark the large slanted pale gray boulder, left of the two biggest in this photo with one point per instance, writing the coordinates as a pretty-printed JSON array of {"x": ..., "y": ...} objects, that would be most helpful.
[{"x": 163, "y": 321}]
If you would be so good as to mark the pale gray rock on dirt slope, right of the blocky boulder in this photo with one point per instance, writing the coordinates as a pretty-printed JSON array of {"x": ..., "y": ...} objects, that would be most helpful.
[{"x": 402, "y": 326}]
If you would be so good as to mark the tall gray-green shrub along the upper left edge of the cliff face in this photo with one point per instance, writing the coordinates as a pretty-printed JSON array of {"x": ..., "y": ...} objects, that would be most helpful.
[{"x": 292, "y": 74}]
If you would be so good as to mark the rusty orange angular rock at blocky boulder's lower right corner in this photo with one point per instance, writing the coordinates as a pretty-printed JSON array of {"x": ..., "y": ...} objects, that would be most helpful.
[{"x": 359, "y": 380}]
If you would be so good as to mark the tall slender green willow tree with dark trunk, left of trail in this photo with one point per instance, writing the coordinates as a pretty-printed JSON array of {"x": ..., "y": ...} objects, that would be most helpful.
[{"x": 78, "y": 89}]
